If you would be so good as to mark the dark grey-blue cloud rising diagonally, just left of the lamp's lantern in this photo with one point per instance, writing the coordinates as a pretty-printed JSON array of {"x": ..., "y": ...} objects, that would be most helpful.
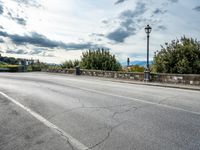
[{"x": 127, "y": 26}]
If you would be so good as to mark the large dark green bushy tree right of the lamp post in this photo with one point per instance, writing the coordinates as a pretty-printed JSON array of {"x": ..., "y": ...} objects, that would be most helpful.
[{"x": 180, "y": 56}]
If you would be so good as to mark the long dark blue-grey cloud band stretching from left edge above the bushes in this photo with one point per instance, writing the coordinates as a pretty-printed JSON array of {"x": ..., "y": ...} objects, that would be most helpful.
[{"x": 39, "y": 40}]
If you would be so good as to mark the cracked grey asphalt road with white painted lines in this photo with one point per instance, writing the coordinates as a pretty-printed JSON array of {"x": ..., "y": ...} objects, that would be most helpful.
[{"x": 48, "y": 111}]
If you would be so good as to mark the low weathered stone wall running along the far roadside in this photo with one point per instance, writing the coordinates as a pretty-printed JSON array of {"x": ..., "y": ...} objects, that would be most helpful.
[{"x": 189, "y": 79}]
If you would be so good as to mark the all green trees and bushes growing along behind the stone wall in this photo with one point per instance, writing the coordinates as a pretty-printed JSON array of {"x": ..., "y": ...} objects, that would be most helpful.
[{"x": 181, "y": 56}]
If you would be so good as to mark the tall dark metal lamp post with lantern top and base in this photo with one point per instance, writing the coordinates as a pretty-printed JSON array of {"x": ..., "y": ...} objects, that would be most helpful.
[{"x": 147, "y": 71}]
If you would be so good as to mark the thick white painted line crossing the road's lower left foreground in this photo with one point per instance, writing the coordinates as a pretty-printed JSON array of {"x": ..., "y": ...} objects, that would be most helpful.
[{"x": 74, "y": 142}]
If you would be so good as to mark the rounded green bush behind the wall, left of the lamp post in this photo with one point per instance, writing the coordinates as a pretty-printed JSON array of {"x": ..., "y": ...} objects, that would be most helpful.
[{"x": 99, "y": 59}]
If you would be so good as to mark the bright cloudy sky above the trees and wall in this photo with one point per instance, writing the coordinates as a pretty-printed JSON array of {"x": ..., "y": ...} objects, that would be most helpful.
[{"x": 57, "y": 30}]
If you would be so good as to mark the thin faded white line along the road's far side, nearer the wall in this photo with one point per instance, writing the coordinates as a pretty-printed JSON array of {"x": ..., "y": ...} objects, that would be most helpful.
[{"x": 138, "y": 100}]
